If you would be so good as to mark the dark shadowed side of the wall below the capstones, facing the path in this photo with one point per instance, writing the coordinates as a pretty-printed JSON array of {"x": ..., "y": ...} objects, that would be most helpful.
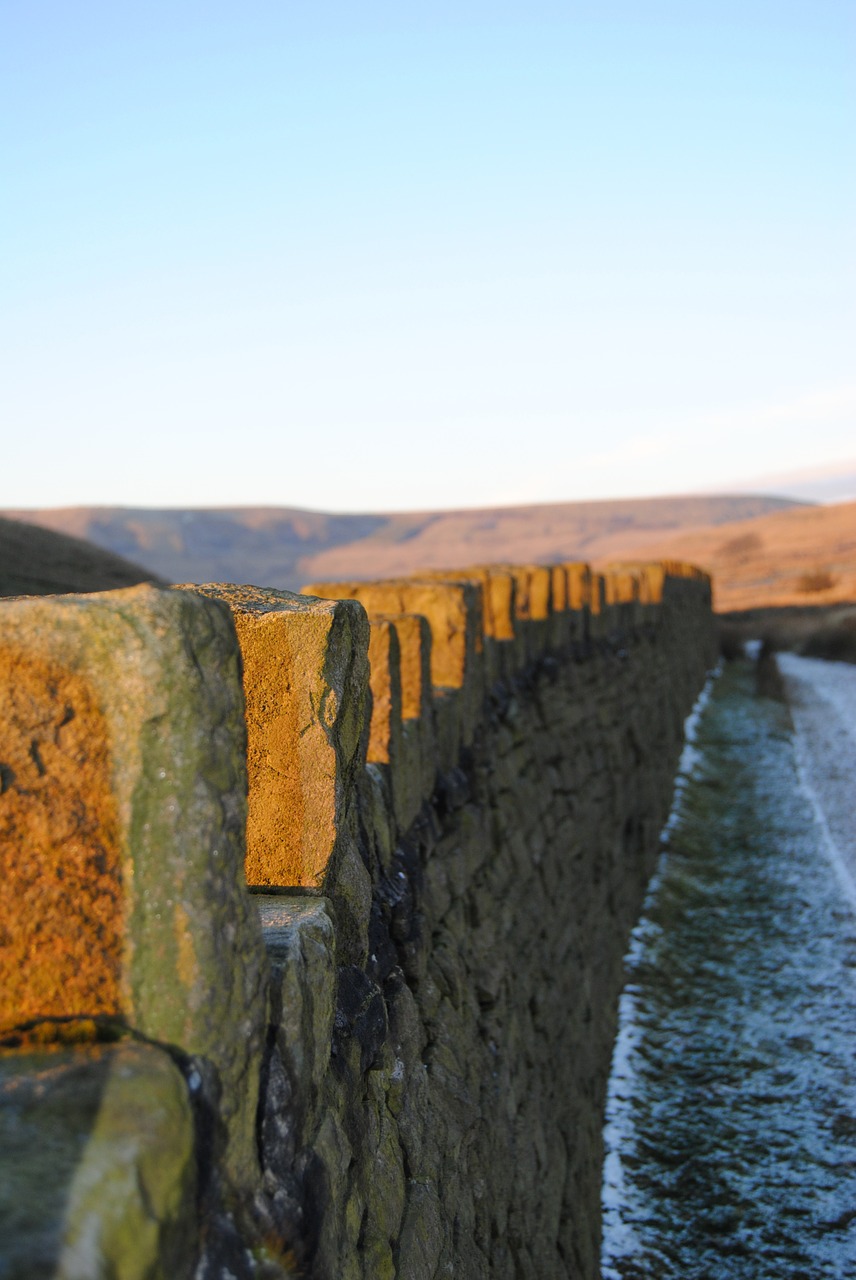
[{"x": 457, "y": 1130}]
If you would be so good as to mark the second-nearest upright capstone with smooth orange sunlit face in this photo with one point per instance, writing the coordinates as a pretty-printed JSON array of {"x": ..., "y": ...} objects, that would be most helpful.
[{"x": 305, "y": 673}]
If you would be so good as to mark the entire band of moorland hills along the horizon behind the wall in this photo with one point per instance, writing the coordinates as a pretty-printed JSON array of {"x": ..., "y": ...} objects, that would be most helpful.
[{"x": 763, "y": 552}]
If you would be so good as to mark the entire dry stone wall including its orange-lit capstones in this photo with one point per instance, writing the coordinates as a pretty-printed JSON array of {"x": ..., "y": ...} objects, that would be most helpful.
[{"x": 390, "y": 1058}]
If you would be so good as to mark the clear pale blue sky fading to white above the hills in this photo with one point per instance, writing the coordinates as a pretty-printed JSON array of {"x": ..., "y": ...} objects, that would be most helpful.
[{"x": 386, "y": 255}]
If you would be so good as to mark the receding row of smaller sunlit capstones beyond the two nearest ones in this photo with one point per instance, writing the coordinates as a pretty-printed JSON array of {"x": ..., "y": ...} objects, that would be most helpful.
[{"x": 443, "y": 639}]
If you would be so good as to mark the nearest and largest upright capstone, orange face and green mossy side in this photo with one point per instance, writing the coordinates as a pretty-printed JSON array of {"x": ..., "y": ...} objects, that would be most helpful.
[{"x": 132, "y": 705}]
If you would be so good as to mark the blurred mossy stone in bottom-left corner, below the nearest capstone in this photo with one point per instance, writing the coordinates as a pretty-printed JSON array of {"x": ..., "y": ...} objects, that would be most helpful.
[{"x": 99, "y": 1165}]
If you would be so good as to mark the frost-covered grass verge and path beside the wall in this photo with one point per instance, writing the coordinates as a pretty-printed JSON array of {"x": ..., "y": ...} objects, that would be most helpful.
[{"x": 731, "y": 1135}]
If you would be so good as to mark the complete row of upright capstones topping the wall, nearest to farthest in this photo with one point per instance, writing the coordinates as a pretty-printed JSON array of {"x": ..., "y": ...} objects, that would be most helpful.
[{"x": 163, "y": 749}]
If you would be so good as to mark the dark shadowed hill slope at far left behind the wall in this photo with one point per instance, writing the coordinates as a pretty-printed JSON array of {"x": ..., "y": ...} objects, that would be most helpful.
[{"x": 43, "y": 563}]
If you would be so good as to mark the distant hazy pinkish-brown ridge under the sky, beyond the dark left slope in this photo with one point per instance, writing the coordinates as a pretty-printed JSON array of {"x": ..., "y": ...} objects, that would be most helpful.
[{"x": 286, "y": 547}]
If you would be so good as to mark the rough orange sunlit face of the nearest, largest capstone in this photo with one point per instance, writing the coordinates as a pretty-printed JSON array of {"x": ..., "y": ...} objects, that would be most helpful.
[{"x": 62, "y": 920}]
